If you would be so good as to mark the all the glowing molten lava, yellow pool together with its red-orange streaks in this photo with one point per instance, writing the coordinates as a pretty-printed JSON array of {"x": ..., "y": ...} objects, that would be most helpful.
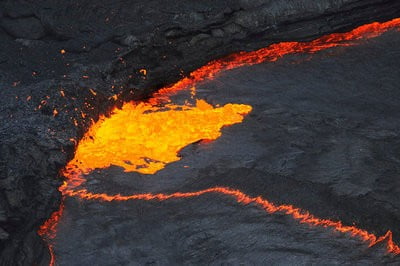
[{"x": 144, "y": 137}]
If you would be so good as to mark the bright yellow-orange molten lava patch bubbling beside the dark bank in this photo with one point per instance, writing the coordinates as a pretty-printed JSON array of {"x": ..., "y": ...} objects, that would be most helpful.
[{"x": 143, "y": 138}]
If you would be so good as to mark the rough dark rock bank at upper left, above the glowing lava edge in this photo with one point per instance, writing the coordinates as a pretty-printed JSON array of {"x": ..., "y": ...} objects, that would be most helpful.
[{"x": 109, "y": 41}]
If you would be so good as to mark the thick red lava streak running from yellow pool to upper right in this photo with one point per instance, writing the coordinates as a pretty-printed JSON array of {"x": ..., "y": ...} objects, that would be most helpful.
[{"x": 276, "y": 51}]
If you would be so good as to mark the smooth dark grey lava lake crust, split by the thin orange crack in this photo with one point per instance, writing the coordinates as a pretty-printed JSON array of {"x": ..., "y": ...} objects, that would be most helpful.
[{"x": 323, "y": 136}]
